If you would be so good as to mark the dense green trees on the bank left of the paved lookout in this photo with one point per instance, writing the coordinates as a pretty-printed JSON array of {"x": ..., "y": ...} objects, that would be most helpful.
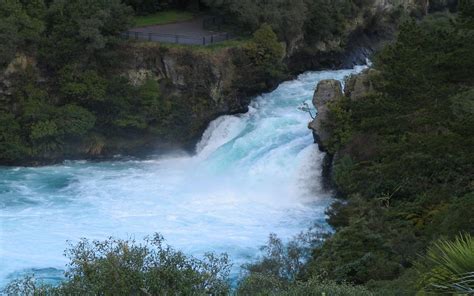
[{"x": 65, "y": 88}]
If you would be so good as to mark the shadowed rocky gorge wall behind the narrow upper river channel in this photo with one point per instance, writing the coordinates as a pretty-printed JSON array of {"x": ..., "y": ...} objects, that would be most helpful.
[{"x": 362, "y": 35}]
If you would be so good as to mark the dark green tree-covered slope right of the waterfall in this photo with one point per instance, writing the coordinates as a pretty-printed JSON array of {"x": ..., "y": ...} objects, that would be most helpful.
[{"x": 404, "y": 160}]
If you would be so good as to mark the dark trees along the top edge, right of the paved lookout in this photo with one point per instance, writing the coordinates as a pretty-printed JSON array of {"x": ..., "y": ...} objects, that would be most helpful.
[{"x": 315, "y": 20}]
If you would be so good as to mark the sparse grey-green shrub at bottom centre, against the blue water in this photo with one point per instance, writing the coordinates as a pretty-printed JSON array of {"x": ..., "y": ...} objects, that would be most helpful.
[{"x": 282, "y": 267}]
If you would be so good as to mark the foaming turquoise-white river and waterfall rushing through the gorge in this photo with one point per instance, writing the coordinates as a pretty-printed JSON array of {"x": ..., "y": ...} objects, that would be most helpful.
[{"x": 253, "y": 174}]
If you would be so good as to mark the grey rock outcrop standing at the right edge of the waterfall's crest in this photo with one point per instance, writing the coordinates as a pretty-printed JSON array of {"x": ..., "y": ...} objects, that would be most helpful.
[{"x": 326, "y": 92}]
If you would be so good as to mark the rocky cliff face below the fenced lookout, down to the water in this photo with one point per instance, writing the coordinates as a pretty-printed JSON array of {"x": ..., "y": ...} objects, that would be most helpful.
[{"x": 204, "y": 83}]
